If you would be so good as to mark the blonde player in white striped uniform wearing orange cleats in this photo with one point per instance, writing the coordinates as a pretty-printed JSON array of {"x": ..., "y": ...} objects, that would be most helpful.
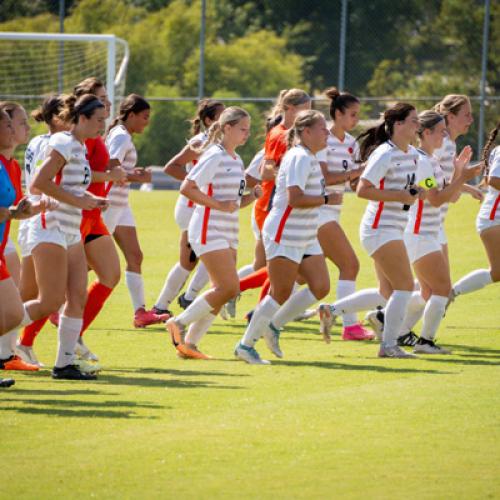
[{"x": 216, "y": 185}]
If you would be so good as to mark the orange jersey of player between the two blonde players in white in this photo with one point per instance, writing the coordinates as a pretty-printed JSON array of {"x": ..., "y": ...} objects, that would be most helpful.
[{"x": 275, "y": 149}]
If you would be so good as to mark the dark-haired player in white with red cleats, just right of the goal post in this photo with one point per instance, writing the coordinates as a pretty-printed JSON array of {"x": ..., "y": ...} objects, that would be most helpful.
[{"x": 132, "y": 119}]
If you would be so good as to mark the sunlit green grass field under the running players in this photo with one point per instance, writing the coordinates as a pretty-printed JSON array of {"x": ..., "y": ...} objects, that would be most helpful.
[{"x": 328, "y": 421}]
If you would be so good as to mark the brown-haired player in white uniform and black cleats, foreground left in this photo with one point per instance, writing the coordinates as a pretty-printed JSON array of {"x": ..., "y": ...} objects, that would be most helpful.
[{"x": 55, "y": 237}]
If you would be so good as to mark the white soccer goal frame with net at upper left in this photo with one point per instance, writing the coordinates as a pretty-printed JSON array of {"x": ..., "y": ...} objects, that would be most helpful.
[{"x": 31, "y": 63}]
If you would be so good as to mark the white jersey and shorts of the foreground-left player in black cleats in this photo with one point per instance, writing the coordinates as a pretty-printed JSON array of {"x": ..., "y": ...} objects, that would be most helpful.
[{"x": 61, "y": 226}]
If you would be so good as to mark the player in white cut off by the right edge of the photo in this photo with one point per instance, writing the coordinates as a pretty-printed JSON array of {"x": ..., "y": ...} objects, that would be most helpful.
[{"x": 487, "y": 223}]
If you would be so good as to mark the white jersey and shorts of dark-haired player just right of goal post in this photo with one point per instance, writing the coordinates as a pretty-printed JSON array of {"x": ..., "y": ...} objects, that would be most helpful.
[{"x": 121, "y": 148}]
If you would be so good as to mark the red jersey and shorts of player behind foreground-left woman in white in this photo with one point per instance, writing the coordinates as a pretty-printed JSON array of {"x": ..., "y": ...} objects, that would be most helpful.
[{"x": 92, "y": 224}]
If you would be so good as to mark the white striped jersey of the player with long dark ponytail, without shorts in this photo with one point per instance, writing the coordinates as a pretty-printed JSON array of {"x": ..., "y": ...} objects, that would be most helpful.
[{"x": 389, "y": 168}]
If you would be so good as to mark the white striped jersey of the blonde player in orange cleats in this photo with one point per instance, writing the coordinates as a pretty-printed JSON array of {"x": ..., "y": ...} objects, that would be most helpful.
[{"x": 222, "y": 177}]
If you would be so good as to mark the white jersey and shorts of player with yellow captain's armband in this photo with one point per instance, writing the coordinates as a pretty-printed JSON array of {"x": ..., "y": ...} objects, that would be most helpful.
[{"x": 422, "y": 234}]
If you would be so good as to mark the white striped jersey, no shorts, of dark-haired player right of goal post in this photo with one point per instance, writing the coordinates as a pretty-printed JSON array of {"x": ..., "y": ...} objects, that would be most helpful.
[{"x": 121, "y": 148}]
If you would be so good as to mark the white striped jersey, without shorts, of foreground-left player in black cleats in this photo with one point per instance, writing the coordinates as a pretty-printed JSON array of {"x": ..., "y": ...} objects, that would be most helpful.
[{"x": 74, "y": 177}]
